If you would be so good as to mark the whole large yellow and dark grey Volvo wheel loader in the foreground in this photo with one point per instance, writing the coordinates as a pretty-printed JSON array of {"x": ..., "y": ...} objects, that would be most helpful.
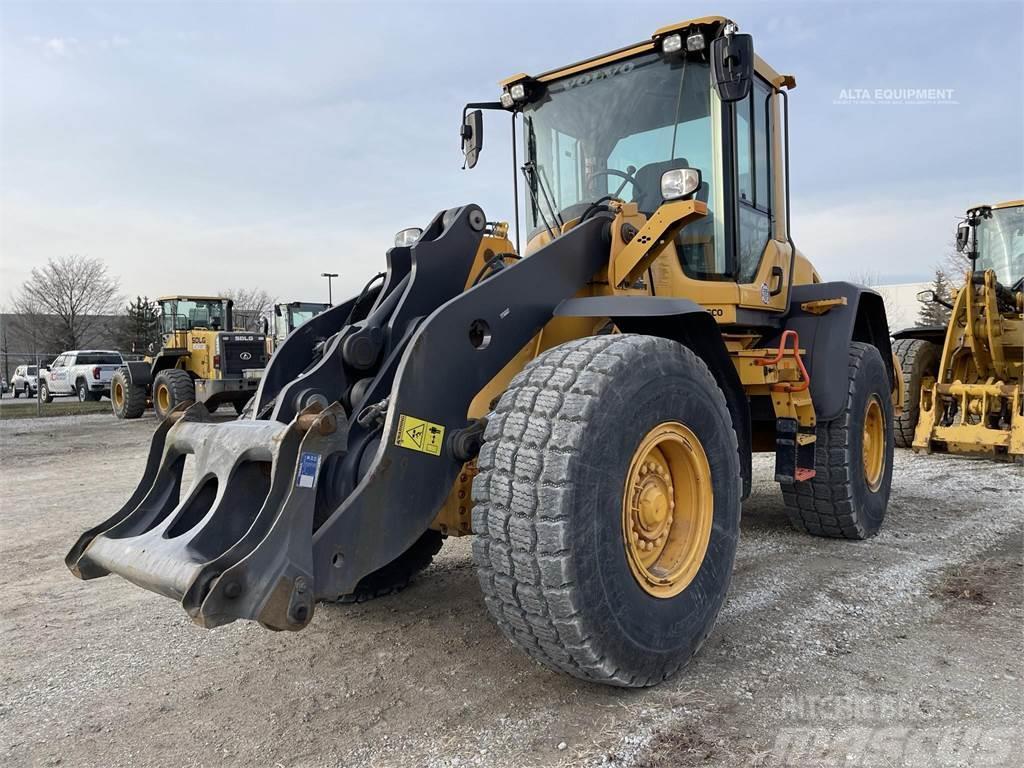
[{"x": 587, "y": 408}]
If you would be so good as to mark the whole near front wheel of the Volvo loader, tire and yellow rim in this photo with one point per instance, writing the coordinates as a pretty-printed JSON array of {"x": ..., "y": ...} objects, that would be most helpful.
[{"x": 608, "y": 508}]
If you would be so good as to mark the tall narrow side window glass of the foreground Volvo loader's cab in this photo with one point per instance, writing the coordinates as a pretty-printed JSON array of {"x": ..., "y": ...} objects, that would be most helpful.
[{"x": 753, "y": 179}]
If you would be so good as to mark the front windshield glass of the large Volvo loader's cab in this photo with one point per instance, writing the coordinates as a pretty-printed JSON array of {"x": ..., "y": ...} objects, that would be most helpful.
[{"x": 615, "y": 132}]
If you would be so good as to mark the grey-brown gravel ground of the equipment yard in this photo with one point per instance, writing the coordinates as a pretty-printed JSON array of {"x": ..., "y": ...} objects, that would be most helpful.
[{"x": 902, "y": 651}]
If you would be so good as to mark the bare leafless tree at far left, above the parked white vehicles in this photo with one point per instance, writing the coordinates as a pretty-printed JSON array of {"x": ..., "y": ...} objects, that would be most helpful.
[{"x": 63, "y": 305}]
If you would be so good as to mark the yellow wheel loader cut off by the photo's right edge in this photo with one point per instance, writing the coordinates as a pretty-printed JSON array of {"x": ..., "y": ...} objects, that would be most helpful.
[{"x": 963, "y": 381}]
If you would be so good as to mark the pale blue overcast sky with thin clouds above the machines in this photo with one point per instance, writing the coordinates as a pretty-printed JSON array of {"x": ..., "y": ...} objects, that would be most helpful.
[{"x": 202, "y": 147}]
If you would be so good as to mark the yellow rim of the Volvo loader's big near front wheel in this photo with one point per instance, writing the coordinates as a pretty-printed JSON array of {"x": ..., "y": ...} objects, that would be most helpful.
[{"x": 668, "y": 507}]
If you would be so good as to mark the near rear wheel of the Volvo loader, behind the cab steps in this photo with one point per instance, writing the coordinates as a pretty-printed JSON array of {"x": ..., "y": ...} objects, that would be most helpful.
[{"x": 854, "y": 458}]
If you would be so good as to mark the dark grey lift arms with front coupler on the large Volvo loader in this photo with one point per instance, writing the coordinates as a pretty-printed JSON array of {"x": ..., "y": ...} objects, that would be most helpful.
[{"x": 357, "y": 435}]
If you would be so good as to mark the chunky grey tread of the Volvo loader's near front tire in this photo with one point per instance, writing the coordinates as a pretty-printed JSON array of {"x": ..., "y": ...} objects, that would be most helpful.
[{"x": 523, "y": 500}]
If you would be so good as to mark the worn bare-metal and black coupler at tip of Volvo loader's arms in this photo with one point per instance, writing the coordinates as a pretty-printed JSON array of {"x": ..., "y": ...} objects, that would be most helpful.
[{"x": 251, "y": 500}]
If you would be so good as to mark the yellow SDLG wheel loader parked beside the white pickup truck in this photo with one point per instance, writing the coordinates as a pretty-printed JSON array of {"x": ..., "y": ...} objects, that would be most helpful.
[{"x": 202, "y": 360}]
